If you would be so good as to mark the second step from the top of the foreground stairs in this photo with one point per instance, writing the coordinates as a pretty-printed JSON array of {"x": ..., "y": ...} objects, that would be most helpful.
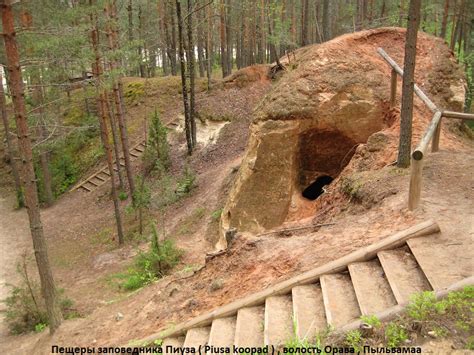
[{"x": 403, "y": 273}]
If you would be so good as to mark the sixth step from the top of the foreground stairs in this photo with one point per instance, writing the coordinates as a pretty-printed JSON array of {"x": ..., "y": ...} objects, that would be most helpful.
[{"x": 278, "y": 320}]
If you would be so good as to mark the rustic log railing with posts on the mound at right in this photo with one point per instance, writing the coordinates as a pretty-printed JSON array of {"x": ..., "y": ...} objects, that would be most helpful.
[{"x": 431, "y": 134}]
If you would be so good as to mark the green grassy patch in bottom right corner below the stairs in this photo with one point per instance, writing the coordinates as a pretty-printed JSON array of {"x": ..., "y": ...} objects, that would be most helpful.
[{"x": 425, "y": 317}]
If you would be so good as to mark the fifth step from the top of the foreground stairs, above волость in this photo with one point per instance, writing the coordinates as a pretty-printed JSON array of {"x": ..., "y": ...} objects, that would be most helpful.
[{"x": 308, "y": 311}]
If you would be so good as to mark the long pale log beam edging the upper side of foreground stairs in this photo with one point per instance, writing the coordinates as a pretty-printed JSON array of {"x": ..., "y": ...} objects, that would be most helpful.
[{"x": 363, "y": 254}]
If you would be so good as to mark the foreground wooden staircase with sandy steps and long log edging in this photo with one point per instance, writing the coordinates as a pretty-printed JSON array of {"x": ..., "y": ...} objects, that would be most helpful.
[{"x": 372, "y": 281}]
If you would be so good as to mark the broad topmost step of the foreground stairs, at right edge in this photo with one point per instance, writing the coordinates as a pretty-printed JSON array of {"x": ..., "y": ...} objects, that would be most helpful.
[{"x": 433, "y": 254}]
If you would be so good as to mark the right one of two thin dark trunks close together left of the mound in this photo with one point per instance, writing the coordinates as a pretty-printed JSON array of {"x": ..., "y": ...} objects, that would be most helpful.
[{"x": 191, "y": 72}]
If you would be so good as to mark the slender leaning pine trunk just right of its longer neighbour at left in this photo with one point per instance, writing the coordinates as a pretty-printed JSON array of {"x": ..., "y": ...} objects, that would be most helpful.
[{"x": 118, "y": 97}]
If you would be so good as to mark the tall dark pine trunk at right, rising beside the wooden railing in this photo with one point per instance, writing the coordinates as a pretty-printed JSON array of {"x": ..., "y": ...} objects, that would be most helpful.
[{"x": 406, "y": 114}]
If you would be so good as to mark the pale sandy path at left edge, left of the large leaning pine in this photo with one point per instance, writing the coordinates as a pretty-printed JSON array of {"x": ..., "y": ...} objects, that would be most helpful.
[{"x": 14, "y": 241}]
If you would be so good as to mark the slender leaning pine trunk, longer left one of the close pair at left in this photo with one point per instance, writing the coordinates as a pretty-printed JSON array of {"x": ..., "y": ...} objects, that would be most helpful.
[{"x": 101, "y": 107}]
